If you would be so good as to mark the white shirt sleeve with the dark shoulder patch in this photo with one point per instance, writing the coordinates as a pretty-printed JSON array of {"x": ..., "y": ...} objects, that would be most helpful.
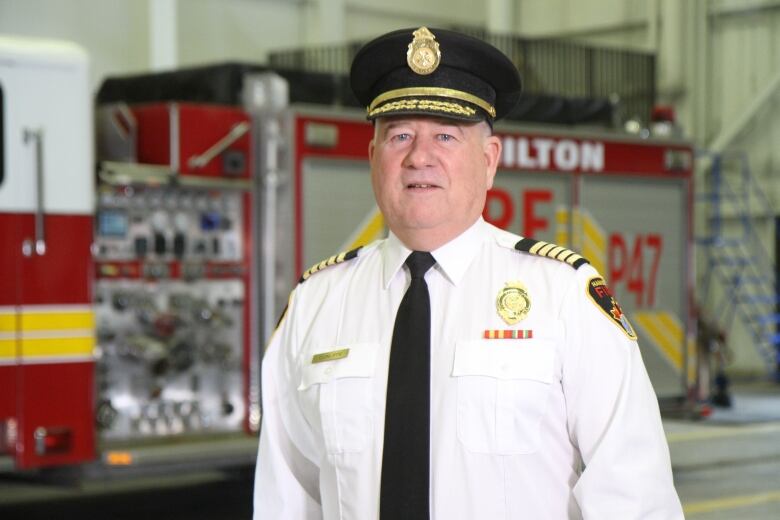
[{"x": 613, "y": 415}]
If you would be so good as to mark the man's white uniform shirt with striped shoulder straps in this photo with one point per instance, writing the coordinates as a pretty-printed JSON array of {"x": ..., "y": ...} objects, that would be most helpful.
[{"x": 563, "y": 425}]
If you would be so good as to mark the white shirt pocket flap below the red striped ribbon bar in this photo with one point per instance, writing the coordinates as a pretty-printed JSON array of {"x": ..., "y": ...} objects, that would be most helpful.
[{"x": 505, "y": 359}]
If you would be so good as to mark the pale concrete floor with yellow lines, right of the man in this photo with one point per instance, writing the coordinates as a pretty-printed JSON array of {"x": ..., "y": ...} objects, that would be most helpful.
[{"x": 727, "y": 467}]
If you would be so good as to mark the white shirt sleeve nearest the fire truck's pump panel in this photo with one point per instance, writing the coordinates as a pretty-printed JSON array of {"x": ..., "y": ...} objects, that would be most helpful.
[{"x": 286, "y": 480}]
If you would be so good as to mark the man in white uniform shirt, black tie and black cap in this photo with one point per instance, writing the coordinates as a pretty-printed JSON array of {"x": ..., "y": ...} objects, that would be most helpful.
[{"x": 484, "y": 376}]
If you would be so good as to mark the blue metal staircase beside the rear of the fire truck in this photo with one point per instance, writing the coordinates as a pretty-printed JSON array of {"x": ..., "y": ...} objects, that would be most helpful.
[{"x": 739, "y": 280}]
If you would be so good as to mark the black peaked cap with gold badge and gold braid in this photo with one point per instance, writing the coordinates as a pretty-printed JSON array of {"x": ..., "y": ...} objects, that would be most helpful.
[{"x": 434, "y": 72}]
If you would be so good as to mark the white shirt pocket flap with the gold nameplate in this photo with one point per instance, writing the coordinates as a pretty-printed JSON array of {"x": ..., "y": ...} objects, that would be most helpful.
[{"x": 325, "y": 365}]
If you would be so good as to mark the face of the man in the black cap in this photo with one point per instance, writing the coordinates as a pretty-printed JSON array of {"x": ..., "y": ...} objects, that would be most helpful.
[{"x": 430, "y": 176}]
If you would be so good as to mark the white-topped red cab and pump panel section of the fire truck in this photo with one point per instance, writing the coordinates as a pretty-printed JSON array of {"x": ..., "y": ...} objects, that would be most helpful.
[{"x": 127, "y": 299}]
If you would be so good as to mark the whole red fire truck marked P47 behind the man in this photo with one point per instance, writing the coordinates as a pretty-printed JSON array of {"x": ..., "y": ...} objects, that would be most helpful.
[{"x": 148, "y": 245}]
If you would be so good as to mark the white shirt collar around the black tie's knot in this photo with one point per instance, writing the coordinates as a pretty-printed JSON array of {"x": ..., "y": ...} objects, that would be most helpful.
[{"x": 452, "y": 259}]
